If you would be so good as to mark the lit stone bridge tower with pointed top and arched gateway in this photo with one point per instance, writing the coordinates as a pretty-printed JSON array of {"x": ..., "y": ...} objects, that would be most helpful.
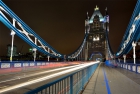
[{"x": 96, "y": 40}]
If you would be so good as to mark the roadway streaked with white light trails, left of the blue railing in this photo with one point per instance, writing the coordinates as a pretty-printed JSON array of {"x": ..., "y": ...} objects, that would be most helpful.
[{"x": 15, "y": 83}]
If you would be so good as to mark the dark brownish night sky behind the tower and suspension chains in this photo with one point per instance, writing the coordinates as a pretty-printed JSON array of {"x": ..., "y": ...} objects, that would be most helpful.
[{"x": 61, "y": 23}]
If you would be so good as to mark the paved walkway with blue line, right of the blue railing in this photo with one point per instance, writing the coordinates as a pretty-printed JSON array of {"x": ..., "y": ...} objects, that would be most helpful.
[{"x": 107, "y": 80}]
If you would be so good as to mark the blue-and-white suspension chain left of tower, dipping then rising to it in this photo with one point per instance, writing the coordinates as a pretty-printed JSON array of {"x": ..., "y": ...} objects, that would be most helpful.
[{"x": 26, "y": 33}]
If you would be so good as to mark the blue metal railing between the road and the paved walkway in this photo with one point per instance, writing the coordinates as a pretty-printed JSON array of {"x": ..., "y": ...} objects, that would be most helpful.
[{"x": 70, "y": 84}]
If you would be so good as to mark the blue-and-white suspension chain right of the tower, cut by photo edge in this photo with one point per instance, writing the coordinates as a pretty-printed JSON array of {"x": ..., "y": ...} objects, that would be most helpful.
[{"x": 132, "y": 32}]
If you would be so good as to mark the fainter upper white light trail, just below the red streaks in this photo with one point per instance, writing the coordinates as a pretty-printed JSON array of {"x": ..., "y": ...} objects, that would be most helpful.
[{"x": 35, "y": 74}]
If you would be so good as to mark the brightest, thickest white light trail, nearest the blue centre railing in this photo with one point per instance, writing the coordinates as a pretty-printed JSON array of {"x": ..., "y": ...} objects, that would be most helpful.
[{"x": 46, "y": 77}]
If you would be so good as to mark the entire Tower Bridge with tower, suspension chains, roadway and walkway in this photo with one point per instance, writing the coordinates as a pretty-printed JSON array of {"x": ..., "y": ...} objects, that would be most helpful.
[{"x": 88, "y": 76}]
